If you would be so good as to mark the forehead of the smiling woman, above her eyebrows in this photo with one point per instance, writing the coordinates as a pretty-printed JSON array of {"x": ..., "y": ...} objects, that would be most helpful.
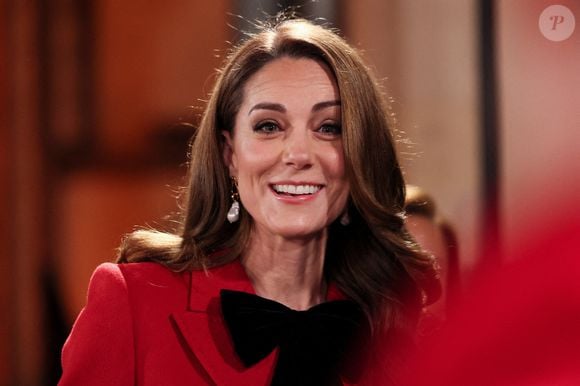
[{"x": 291, "y": 80}]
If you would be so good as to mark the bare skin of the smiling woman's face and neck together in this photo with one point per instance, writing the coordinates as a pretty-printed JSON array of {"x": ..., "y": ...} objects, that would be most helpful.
[{"x": 287, "y": 139}]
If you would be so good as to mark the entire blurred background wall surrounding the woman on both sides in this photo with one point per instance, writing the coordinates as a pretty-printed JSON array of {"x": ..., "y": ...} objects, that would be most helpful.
[{"x": 485, "y": 93}]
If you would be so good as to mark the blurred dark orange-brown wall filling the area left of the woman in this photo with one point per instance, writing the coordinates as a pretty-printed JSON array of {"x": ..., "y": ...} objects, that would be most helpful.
[{"x": 93, "y": 149}]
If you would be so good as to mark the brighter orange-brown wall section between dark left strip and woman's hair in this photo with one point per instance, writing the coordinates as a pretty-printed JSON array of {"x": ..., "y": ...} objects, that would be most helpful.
[{"x": 151, "y": 62}]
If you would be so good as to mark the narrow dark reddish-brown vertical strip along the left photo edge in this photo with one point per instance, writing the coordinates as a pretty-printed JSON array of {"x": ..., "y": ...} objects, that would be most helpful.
[{"x": 21, "y": 250}]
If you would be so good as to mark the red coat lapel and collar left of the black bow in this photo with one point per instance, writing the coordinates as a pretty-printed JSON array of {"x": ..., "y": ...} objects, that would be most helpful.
[{"x": 203, "y": 329}]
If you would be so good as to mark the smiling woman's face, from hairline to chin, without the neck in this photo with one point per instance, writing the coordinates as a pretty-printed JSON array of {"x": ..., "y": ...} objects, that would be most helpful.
[{"x": 286, "y": 149}]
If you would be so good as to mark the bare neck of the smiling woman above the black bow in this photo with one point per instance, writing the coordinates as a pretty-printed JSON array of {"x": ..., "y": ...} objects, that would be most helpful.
[{"x": 287, "y": 271}]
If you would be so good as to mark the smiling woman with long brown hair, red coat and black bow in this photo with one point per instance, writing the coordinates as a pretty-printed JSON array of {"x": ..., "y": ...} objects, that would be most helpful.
[{"x": 295, "y": 195}]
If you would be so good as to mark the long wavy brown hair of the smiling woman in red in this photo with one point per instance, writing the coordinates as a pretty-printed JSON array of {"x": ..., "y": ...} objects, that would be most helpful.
[{"x": 373, "y": 260}]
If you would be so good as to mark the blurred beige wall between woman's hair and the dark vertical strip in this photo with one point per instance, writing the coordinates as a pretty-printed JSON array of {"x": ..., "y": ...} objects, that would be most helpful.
[{"x": 427, "y": 51}]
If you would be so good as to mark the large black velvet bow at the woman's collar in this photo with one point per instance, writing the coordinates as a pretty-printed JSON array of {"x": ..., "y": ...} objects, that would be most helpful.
[{"x": 317, "y": 346}]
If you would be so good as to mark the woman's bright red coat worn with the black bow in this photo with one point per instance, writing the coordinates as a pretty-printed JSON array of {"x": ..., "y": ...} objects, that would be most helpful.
[{"x": 146, "y": 325}]
